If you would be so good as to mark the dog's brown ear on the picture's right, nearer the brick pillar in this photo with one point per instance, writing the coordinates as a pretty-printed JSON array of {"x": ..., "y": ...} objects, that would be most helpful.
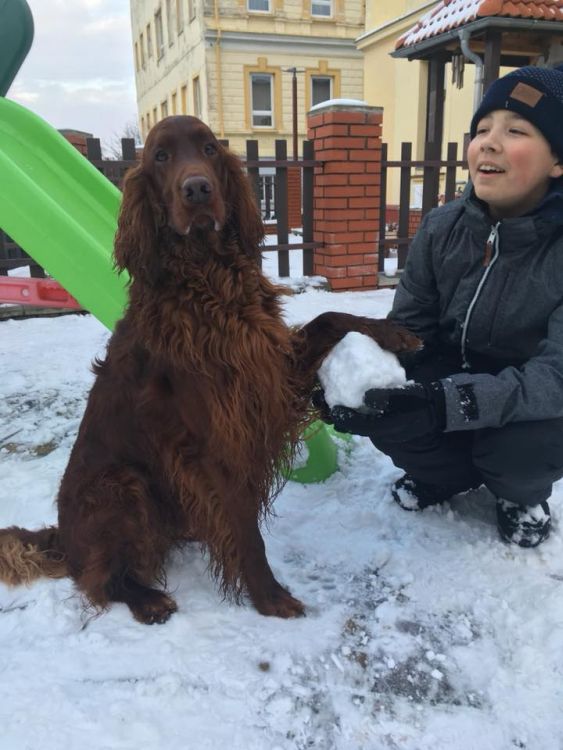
[{"x": 243, "y": 215}]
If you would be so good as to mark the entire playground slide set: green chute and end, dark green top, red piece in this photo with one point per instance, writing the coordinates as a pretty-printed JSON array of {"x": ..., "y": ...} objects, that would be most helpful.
[{"x": 63, "y": 212}]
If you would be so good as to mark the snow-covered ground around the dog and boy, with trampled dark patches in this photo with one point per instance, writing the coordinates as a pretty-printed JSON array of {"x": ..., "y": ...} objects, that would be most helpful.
[{"x": 423, "y": 631}]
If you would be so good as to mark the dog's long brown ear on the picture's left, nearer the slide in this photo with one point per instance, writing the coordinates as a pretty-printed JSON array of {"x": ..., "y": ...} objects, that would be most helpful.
[{"x": 141, "y": 217}]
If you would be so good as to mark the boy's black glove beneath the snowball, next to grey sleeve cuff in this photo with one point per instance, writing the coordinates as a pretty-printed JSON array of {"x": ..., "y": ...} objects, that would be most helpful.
[{"x": 395, "y": 414}]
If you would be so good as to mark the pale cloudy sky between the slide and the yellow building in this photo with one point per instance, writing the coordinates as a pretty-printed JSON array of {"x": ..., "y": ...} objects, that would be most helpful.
[{"x": 79, "y": 73}]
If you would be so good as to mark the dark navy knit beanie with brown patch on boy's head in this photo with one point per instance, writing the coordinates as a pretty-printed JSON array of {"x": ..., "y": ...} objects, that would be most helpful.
[{"x": 534, "y": 93}]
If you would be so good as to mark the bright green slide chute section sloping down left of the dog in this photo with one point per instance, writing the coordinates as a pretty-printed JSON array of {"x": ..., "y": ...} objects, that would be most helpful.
[{"x": 61, "y": 210}]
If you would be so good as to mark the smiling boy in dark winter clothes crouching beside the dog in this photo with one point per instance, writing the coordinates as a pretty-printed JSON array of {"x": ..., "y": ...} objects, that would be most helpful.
[{"x": 483, "y": 288}]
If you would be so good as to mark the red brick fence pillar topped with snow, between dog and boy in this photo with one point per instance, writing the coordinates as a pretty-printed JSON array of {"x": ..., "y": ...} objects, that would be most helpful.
[{"x": 347, "y": 138}]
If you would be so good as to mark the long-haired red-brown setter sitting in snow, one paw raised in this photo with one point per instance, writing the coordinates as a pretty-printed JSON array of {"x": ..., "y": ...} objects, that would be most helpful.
[{"x": 200, "y": 400}]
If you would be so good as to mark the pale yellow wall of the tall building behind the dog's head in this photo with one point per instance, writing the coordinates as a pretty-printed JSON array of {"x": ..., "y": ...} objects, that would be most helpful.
[{"x": 225, "y": 42}]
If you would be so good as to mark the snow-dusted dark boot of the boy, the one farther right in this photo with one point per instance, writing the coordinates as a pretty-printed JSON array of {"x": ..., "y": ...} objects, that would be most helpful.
[{"x": 524, "y": 525}]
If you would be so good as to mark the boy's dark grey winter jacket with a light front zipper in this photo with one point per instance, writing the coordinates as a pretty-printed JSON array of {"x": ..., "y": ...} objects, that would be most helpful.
[{"x": 495, "y": 292}]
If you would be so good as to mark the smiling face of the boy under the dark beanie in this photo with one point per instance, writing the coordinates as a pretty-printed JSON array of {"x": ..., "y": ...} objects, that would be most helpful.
[{"x": 510, "y": 164}]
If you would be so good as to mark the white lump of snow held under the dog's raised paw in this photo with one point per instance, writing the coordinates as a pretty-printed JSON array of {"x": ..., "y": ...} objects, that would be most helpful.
[{"x": 356, "y": 364}]
